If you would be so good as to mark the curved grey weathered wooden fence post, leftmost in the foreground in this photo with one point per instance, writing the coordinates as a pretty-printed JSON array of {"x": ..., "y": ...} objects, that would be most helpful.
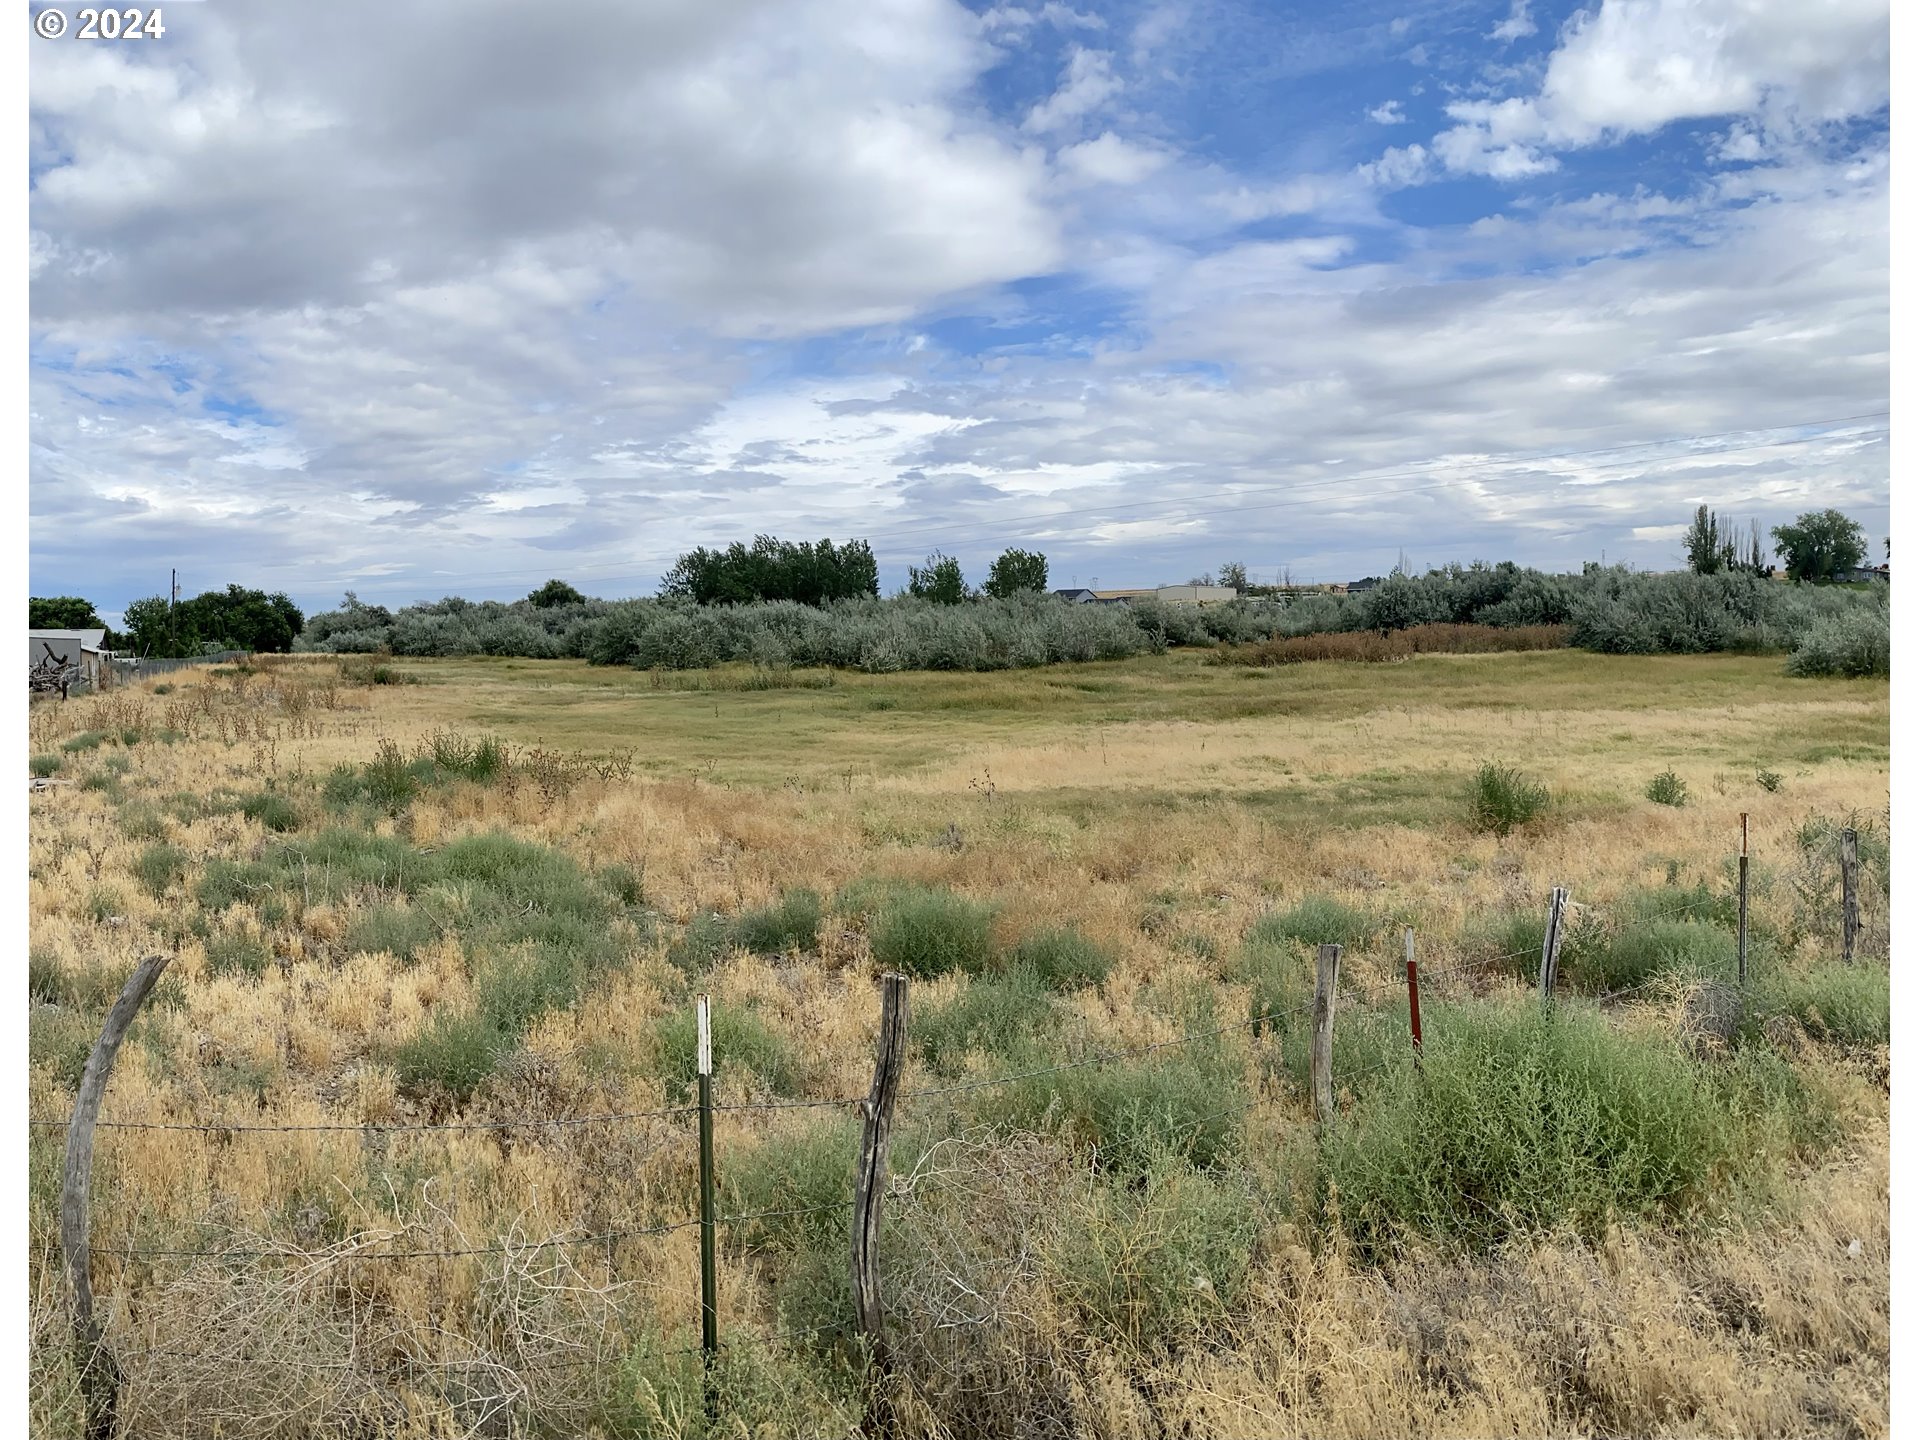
[{"x": 99, "y": 1372}]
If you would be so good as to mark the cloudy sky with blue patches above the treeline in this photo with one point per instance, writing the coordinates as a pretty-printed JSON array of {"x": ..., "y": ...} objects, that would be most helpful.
[{"x": 450, "y": 299}]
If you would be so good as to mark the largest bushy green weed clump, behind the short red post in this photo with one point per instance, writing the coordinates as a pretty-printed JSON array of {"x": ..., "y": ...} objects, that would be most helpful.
[{"x": 1524, "y": 1124}]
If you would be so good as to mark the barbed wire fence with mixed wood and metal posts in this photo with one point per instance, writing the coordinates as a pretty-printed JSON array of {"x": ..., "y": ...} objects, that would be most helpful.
[{"x": 101, "y": 1370}]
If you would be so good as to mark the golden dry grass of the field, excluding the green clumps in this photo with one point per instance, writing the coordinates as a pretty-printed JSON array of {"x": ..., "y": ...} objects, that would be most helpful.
[{"x": 1032, "y": 1297}]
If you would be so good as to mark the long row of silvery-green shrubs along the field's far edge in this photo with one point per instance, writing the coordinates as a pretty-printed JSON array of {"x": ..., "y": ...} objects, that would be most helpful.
[{"x": 1614, "y": 610}]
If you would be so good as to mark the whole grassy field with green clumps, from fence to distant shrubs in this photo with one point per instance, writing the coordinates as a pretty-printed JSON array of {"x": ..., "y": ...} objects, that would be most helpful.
[{"x": 462, "y": 921}]
